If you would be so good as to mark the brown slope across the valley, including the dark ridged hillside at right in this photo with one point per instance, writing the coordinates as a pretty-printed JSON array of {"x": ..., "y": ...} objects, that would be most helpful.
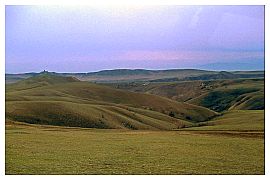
[{"x": 218, "y": 95}]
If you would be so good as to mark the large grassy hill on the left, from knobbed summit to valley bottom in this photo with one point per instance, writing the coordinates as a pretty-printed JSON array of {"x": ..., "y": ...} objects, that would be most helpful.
[{"x": 54, "y": 100}]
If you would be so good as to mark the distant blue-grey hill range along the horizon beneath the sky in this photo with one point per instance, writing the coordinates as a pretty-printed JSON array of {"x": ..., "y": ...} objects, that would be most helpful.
[{"x": 142, "y": 75}]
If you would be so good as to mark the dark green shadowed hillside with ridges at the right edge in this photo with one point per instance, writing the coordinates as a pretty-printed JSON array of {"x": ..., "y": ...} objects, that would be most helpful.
[{"x": 244, "y": 94}]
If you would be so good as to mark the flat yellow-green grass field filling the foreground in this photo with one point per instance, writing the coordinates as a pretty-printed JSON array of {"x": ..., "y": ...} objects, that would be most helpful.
[{"x": 36, "y": 149}]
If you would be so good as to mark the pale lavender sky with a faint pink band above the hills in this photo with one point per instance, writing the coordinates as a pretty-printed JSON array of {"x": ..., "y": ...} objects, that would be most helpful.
[{"x": 87, "y": 38}]
